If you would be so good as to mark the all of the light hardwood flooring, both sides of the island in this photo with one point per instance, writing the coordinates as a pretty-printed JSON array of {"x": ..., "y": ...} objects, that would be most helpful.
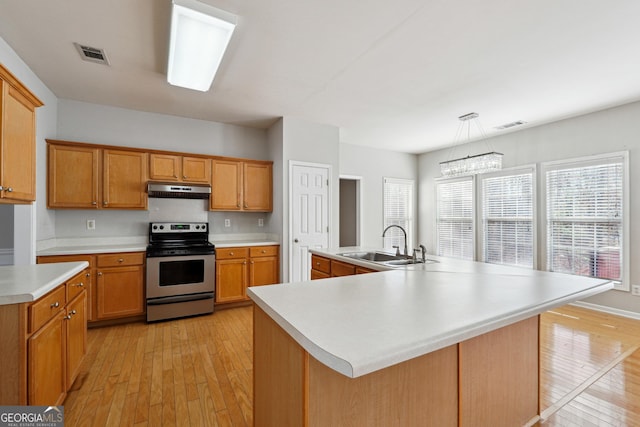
[{"x": 198, "y": 372}]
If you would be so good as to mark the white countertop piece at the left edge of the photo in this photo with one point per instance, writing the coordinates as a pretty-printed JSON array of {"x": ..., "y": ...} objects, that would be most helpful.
[{"x": 26, "y": 283}]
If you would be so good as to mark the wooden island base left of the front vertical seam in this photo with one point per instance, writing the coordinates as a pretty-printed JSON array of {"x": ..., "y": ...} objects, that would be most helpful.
[{"x": 293, "y": 388}]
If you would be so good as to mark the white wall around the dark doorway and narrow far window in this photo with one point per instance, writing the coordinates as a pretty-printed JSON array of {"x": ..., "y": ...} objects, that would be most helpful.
[{"x": 373, "y": 165}]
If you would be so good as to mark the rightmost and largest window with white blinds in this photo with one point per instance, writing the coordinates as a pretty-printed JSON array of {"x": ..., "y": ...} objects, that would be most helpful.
[{"x": 586, "y": 217}]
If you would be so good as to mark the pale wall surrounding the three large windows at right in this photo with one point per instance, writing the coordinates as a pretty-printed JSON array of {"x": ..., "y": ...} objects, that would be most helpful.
[{"x": 611, "y": 130}]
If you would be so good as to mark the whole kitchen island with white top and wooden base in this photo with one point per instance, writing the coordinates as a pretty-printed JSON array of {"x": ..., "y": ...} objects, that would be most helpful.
[{"x": 444, "y": 343}]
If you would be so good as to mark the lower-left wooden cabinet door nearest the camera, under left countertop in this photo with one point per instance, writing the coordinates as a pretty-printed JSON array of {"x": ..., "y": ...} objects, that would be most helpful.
[{"x": 46, "y": 361}]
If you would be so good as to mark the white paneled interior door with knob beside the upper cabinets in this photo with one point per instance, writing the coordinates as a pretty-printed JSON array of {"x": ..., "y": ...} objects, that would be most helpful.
[{"x": 309, "y": 215}]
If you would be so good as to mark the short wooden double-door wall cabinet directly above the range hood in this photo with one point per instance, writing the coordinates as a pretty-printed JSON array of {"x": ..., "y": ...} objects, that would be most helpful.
[{"x": 168, "y": 167}]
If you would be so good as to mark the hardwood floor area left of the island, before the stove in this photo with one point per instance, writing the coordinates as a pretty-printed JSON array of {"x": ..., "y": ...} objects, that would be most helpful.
[{"x": 187, "y": 372}]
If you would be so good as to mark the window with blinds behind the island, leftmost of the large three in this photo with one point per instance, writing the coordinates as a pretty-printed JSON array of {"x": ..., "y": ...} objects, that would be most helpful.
[{"x": 454, "y": 222}]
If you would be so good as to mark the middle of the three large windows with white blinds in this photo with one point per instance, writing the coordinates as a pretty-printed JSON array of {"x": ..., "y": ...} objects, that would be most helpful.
[{"x": 508, "y": 218}]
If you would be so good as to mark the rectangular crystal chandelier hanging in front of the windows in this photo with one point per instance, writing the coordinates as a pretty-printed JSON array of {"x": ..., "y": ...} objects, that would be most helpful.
[{"x": 471, "y": 165}]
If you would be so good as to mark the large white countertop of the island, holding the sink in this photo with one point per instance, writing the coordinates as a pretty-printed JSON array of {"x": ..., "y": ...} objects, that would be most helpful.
[{"x": 363, "y": 323}]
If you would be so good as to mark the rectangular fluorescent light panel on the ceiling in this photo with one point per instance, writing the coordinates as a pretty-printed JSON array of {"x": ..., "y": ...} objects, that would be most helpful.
[{"x": 200, "y": 34}]
